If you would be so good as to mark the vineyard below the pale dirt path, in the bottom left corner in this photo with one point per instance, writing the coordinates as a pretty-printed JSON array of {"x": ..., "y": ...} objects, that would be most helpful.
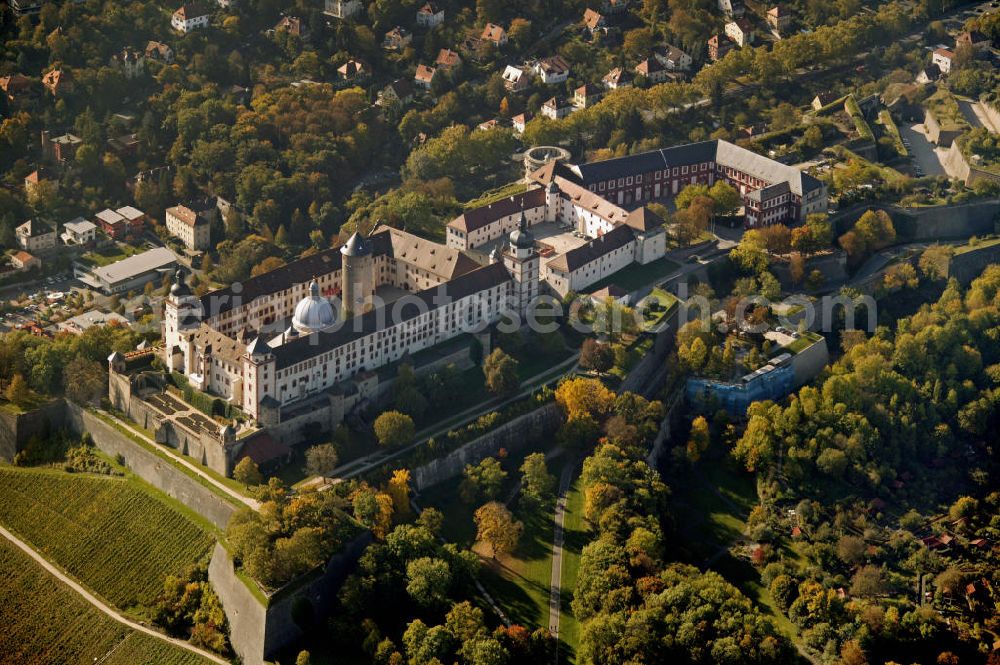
[{"x": 45, "y": 622}]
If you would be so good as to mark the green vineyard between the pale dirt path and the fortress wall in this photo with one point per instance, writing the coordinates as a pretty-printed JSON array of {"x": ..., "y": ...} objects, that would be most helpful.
[{"x": 106, "y": 532}]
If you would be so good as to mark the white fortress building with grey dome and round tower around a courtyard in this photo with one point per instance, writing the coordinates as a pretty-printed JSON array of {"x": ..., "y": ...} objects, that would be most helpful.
[{"x": 271, "y": 344}]
